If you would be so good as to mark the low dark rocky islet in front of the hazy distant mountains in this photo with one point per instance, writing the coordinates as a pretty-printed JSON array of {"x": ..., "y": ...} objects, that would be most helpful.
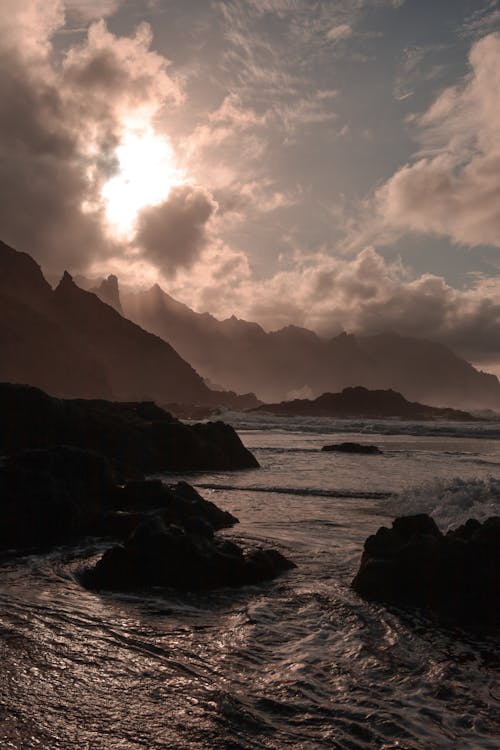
[{"x": 360, "y": 403}]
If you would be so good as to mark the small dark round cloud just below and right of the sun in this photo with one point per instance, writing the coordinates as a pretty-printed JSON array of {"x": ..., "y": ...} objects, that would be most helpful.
[{"x": 174, "y": 233}]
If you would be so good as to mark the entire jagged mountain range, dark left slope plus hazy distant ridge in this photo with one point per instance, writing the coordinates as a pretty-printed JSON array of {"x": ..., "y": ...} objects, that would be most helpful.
[{"x": 73, "y": 342}]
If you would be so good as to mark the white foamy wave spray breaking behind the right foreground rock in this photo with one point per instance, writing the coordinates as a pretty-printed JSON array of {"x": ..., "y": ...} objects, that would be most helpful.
[{"x": 449, "y": 502}]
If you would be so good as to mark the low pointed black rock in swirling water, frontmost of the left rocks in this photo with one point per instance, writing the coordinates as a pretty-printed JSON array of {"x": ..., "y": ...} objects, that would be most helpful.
[{"x": 157, "y": 554}]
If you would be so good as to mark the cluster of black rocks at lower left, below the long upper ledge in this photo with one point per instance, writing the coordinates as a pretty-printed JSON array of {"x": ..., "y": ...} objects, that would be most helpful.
[{"x": 57, "y": 495}]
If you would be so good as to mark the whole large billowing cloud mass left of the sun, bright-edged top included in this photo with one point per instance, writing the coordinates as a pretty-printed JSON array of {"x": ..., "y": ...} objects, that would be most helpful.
[{"x": 61, "y": 119}]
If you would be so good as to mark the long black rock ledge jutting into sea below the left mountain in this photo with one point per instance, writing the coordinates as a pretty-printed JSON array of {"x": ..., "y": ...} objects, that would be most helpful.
[{"x": 136, "y": 437}]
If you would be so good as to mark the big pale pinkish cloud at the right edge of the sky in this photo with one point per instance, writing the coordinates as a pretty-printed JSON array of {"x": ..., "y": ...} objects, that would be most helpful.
[{"x": 453, "y": 186}]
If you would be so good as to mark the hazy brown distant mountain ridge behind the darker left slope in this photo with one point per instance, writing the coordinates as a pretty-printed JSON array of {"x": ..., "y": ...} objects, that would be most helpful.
[{"x": 294, "y": 361}]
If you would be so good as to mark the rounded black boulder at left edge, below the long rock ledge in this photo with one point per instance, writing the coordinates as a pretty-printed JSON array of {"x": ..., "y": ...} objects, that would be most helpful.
[{"x": 52, "y": 496}]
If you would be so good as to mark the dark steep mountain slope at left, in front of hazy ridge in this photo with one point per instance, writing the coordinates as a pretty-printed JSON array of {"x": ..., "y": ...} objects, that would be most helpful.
[{"x": 70, "y": 343}]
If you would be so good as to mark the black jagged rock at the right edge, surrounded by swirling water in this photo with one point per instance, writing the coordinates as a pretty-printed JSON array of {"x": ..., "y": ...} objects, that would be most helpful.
[{"x": 456, "y": 575}]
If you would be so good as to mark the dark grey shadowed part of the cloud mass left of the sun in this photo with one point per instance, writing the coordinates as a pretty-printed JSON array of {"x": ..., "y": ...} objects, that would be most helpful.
[{"x": 42, "y": 172}]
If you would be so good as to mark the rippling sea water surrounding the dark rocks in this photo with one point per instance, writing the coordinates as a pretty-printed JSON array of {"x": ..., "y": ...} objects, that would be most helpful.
[{"x": 301, "y": 662}]
